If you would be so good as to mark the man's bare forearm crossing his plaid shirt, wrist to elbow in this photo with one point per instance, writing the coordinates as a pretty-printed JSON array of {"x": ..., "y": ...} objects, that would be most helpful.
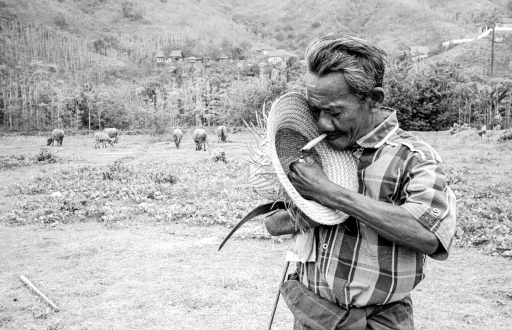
[{"x": 390, "y": 221}]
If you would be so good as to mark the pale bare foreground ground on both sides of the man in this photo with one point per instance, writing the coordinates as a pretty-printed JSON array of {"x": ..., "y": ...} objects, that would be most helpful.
[{"x": 142, "y": 276}]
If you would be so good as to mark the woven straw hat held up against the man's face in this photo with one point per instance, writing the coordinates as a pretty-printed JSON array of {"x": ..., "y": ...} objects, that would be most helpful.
[{"x": 290, "y": 127}]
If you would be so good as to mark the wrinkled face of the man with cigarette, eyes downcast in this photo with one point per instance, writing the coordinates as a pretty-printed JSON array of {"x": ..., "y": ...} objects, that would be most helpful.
[{"x": 338, "y": 113}]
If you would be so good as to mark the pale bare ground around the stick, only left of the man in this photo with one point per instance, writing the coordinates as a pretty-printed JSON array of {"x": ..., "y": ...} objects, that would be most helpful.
[{"x": 138, "y": 277}]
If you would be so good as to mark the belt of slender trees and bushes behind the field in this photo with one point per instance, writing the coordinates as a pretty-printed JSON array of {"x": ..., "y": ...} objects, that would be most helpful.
[{"x": 51, "y": 79}]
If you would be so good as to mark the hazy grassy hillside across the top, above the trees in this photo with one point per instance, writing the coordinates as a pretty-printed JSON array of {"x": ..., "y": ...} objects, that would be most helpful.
[{"x": 393, "y": 24}]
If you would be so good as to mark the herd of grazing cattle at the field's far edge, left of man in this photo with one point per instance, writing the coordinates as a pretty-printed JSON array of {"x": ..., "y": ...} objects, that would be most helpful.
[{"x": 109, "y": 135}]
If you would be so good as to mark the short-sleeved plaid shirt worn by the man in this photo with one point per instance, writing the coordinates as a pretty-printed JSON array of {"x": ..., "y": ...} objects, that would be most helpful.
[{"x": 357, "y": 267}]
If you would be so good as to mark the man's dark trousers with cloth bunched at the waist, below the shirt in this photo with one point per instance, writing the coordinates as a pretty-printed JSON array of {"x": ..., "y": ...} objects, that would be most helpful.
[{"x": 313, "y": 312}]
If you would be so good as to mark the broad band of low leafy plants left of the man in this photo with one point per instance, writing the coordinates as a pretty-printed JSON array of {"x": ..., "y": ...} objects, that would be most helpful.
[{"x": 160, "y": 191}]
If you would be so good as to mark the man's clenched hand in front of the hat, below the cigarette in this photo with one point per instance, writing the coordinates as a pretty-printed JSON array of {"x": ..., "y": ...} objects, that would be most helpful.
[{"x": 308, "y": 178}]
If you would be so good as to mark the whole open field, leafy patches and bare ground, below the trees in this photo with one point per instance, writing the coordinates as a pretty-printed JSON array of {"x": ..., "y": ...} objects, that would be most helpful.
[{"x": 127, "y": 238}]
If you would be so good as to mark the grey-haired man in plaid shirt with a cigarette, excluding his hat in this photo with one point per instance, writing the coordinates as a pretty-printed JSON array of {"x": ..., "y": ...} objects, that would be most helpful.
[{"x": 366, "y": 267}]
